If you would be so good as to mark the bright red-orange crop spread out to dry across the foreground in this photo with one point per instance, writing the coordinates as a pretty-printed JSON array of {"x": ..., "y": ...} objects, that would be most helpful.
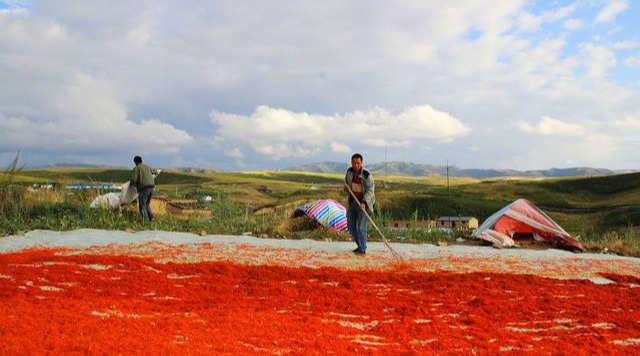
[{"x": 56, "y": 302}]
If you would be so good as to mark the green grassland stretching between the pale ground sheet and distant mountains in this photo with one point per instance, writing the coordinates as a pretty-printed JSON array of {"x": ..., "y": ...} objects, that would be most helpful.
[{"x": 603, "y": 211}]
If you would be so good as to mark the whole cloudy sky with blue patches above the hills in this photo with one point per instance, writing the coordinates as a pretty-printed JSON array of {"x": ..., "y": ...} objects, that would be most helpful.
[{"x": 244, "y": 85}]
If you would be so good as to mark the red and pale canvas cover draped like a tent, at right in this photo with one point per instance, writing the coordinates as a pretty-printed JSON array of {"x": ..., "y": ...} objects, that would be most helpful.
[{"x": 522, "y": 217}]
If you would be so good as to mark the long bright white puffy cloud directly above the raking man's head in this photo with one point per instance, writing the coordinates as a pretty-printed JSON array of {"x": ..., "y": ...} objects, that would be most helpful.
[{"x": 282, "y": 133}]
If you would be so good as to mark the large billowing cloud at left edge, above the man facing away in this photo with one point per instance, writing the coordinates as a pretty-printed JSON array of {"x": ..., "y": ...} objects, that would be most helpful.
[{"x": 88, "y": 114}]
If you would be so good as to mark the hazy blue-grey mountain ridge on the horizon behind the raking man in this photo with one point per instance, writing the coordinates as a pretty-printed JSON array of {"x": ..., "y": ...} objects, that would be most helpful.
[{"x": 414, "y": 169}]
